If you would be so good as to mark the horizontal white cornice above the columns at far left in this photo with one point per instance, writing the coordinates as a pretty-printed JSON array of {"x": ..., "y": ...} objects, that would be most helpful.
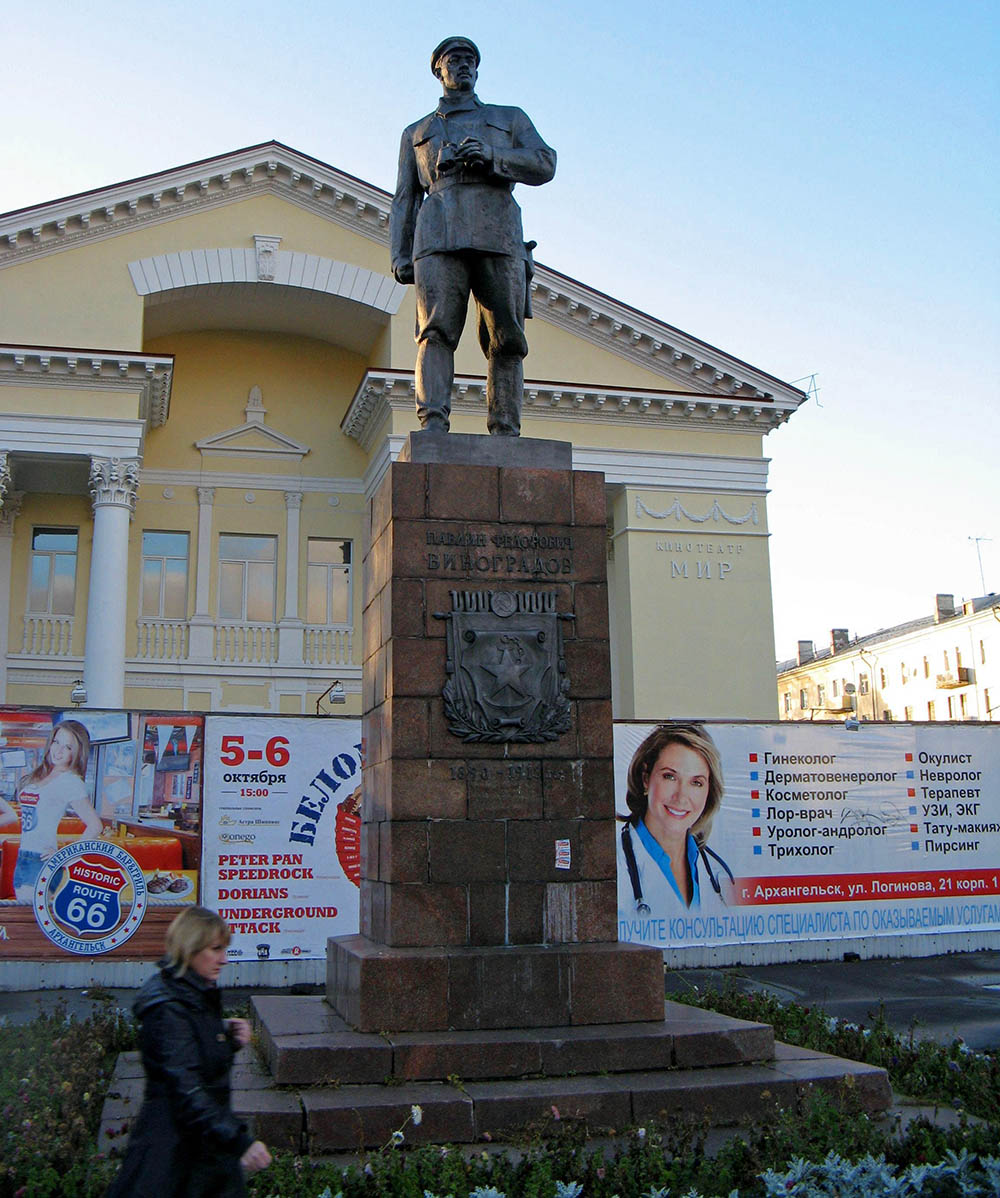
[{"x": 43, "y": 366}]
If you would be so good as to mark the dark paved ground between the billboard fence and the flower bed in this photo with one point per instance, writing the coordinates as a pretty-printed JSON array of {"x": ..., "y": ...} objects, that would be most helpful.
[{"x": 957, "y": 995}]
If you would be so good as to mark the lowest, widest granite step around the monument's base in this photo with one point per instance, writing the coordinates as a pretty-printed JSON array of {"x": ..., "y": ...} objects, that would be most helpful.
[{"x": 349, "y": 1118}]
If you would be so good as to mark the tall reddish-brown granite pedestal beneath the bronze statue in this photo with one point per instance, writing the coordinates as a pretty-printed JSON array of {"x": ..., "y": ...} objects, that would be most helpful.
[{"x": 489, "y": 893}]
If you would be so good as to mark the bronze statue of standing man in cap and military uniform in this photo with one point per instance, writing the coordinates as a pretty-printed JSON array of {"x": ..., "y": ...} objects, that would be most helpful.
[{"x": 456, "y": 231}]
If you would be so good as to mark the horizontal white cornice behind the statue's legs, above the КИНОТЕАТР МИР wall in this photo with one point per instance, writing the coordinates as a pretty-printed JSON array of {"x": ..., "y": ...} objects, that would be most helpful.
[{"x": 385, "y": 391}]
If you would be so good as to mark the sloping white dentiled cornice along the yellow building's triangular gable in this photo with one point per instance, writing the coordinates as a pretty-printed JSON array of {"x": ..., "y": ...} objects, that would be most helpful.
[{"x": 274, "y": 168}]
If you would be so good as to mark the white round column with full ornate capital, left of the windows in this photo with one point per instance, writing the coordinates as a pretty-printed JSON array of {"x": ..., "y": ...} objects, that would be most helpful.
[{"x": 113, "y": 486}]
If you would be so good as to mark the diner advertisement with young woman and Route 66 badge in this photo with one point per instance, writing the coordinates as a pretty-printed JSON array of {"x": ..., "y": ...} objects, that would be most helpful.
[{"x": 87, "y": 796}]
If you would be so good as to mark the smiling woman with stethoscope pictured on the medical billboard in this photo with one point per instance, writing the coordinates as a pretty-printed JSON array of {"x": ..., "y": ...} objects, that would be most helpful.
[{"x": 675, "y": 789}]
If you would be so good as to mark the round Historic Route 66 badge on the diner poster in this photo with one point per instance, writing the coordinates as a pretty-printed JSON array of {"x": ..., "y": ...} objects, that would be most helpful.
[{"x": 90, "y": 898}]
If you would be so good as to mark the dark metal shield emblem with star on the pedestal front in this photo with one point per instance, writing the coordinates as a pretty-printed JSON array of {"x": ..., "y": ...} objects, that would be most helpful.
[{"x": 507, "y": 674}]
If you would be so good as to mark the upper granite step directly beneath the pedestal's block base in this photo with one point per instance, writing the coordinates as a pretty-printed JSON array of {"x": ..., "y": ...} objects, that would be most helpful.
[{"x": 305, "y": 1043}]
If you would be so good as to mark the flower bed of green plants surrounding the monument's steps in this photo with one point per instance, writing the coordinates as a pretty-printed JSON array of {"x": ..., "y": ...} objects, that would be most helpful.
[{"x": 54, "y": 1074}]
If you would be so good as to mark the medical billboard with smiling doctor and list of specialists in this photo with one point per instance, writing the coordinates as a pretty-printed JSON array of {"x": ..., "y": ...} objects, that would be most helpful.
[{"x": 749, "y": 833}]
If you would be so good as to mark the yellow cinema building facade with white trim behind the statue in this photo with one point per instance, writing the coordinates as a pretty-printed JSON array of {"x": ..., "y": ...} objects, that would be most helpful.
[{"x": 204, "y": 374}]
